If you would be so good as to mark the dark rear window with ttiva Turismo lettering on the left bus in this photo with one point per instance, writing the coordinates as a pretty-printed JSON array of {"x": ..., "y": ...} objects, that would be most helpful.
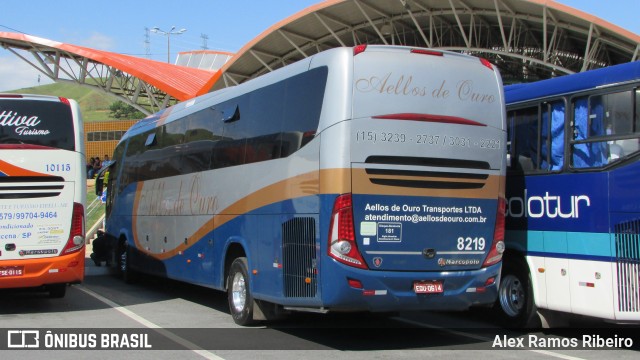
[{"x": 44, "y": 123}]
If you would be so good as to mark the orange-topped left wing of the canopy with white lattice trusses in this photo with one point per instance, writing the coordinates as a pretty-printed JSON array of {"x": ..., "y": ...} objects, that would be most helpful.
[{"x": 146, "y": 84}]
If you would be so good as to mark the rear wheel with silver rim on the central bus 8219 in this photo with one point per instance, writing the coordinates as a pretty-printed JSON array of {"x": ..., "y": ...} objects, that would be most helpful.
[{"x": 238, "y": 293}]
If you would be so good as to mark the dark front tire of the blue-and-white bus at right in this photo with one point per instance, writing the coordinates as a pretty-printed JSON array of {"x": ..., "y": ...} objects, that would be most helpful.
[{"x": 515, "y": 304}]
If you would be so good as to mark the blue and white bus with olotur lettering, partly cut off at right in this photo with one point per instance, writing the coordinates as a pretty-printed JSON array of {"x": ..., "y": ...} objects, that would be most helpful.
[{"x": 573, "y": 197}]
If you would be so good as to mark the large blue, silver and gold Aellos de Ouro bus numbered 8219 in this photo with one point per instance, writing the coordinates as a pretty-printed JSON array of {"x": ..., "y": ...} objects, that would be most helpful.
[{"x": 367, "y": 178}]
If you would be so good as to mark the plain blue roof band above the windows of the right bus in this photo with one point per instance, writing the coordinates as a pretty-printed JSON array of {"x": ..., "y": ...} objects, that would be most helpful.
[{"x": 572, "y": 83}]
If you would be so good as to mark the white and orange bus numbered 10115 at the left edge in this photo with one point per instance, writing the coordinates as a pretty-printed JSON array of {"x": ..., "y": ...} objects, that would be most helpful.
[{"x": 42, "y": 193}]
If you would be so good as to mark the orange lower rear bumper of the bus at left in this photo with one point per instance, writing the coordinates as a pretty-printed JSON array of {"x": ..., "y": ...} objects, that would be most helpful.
[{"x": 44, "y": 271}]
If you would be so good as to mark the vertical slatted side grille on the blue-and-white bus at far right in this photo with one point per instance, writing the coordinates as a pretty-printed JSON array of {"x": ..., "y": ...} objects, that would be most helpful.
[{"x": 628, "y": 265}]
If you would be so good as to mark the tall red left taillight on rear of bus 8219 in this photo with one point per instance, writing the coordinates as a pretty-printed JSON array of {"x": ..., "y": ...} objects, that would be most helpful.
[{"x": 342, "y": 242}]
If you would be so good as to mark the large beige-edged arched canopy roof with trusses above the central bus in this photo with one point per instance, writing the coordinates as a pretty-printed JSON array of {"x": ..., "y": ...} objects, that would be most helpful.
[{"x": 527, "y": 39}]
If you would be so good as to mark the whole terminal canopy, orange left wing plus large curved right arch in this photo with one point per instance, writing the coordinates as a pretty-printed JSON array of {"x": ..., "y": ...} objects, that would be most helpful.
[{"x": 527, "y": 39}]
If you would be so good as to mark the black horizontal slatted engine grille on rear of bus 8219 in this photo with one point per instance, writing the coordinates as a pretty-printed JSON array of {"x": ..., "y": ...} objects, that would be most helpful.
[{"x": 449, "y": 180}]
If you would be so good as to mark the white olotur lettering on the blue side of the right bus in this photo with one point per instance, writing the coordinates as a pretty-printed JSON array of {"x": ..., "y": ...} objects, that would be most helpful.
[{"x": 549, "y": 206}]
